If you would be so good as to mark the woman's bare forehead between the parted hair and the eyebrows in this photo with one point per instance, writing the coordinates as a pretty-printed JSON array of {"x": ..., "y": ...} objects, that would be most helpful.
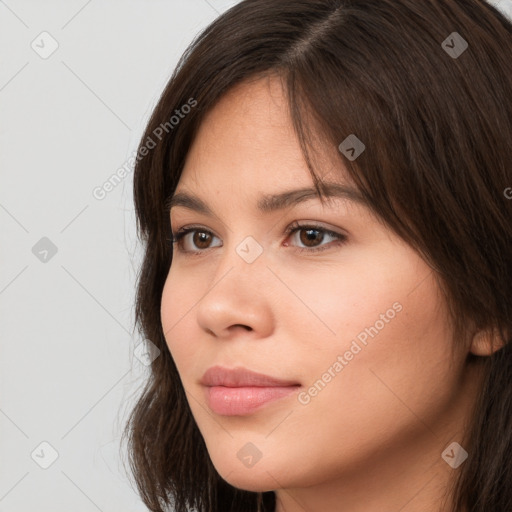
[{"x": 248, "y": 140}]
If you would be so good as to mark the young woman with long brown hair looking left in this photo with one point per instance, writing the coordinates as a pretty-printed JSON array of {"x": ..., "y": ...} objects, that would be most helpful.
[{"x": 322, "y": 191}]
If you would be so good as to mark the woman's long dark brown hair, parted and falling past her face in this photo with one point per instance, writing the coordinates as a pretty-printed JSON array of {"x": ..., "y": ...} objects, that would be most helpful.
[{"x": 427, "y": 86}]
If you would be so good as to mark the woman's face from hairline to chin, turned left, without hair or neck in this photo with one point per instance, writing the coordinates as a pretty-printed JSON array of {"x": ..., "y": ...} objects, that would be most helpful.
[{"x": 353, "y": 322}]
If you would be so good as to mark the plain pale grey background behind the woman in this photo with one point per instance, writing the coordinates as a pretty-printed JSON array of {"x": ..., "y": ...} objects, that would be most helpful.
[{"x": 68, "y": 121}]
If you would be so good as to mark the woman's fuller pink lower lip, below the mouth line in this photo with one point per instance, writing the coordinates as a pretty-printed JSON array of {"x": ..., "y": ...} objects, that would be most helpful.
[{"x": 244, "y": 400}]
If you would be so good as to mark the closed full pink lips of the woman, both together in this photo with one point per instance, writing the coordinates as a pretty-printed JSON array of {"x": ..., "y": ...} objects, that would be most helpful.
[{"x": 240, "y": 391}]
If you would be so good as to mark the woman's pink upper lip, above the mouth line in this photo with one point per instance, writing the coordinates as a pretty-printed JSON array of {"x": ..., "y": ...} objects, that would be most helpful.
[{"x": 241, "y": 377}]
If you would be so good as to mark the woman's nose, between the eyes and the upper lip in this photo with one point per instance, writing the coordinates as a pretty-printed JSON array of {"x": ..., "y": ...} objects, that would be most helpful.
[{"x": 238, "y": 300}]
